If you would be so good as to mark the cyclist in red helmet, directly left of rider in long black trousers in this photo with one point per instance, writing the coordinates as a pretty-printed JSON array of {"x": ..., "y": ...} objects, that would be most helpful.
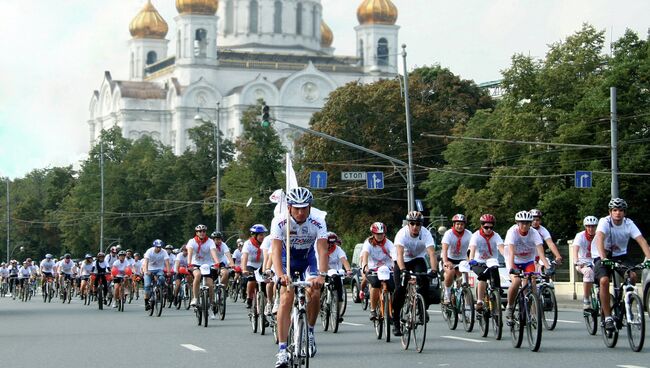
[{"x": 376, "y": 252}]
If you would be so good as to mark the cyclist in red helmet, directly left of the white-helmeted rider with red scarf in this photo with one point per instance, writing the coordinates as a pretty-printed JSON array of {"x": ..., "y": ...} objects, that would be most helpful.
[{"x": 483, "y": 246}]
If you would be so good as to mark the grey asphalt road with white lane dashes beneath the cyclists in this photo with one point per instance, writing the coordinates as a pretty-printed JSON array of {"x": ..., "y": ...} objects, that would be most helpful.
[{"x": 35, "y": 334}]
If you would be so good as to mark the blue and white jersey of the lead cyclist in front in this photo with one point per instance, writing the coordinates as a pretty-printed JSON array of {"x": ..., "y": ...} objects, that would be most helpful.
[{"x": 303, "y": 237}]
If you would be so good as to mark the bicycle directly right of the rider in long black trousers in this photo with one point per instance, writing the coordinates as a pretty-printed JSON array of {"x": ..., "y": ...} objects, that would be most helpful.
[{"x": 461, "y": 302}]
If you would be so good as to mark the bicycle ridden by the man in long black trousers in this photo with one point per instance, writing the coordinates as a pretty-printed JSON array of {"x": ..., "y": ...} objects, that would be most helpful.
[{"x": 413, "y": 316}]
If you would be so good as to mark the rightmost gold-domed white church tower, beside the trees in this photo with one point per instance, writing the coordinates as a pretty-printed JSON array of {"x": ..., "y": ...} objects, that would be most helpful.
[{"x": 377, "y": 36}]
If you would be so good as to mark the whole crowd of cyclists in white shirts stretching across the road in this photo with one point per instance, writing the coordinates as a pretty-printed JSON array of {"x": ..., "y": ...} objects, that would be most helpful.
[{"x": 299, "y": 247}]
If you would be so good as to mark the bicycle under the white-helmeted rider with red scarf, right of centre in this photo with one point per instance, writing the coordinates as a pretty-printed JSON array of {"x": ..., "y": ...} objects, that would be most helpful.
[{"x": 526, "y": 313}]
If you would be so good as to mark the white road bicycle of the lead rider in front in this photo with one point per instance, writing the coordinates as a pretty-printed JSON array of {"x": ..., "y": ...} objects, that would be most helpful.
[{"x": 298, "y": 348}]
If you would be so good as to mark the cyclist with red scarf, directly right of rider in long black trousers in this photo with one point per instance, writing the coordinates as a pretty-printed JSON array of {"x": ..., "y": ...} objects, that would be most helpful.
[{"x": 455, "y": 243}]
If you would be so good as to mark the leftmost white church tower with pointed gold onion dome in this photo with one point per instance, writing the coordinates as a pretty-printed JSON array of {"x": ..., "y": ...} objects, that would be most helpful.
[{"x": 148, "y": 44}]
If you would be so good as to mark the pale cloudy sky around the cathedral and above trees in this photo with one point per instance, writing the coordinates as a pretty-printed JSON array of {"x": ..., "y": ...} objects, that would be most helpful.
[{"x": 54, "y": 54}]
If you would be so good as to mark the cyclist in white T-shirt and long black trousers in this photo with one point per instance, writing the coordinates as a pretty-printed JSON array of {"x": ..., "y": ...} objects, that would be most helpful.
[{"x": 413, "y": 243}]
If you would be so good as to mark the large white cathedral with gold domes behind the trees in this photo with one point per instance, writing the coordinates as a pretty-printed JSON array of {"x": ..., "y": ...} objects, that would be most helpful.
[{"x": 231, "y": 53}]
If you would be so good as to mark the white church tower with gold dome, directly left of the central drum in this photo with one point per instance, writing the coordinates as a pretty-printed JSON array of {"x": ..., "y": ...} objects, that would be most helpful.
[{"x": 196, "y": 38}]
